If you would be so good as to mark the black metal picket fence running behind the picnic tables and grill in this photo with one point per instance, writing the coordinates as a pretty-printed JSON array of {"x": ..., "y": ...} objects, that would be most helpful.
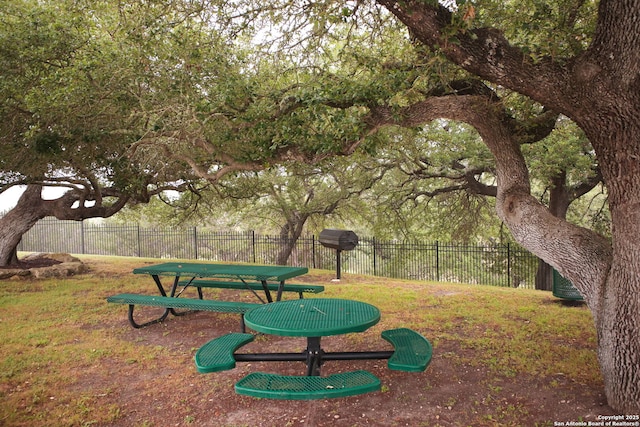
[{"x": 498, "y": 265}]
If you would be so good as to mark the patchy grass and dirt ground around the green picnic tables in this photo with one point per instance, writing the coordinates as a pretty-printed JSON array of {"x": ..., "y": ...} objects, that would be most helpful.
[{"x": 501, "y": 357}]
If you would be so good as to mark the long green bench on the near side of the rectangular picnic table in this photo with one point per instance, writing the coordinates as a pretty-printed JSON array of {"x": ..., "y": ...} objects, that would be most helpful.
[{"x": 183, "y": 303}]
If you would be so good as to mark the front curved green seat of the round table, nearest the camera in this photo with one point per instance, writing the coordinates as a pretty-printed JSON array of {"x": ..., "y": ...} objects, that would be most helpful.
[{"x": 272, "y": 386}]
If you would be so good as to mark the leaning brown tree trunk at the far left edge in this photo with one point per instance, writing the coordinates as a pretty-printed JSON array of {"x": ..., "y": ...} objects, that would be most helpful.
[{"x": 18, "y": 221}]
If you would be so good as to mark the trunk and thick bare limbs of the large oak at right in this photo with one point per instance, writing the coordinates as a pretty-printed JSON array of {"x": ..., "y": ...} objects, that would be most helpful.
[{"x": 599, "y": 89}]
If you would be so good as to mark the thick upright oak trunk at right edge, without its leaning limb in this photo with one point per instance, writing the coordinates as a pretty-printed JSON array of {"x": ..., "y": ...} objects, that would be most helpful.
[{"x": 617, "y": 315}]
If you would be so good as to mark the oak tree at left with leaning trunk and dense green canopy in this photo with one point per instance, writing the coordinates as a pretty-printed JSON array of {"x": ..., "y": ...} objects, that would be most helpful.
[{"x": 90, "y": 93}]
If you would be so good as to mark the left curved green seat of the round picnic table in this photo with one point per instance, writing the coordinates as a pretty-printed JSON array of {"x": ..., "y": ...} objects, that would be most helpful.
[{"x": 217, "y": 354}]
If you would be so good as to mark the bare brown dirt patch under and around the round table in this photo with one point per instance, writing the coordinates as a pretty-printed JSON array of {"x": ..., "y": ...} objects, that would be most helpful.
[{"x": 449, "y": 393}]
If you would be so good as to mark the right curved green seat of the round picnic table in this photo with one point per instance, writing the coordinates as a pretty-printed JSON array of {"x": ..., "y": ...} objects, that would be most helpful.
[{"x": 412, "y": 353}]
